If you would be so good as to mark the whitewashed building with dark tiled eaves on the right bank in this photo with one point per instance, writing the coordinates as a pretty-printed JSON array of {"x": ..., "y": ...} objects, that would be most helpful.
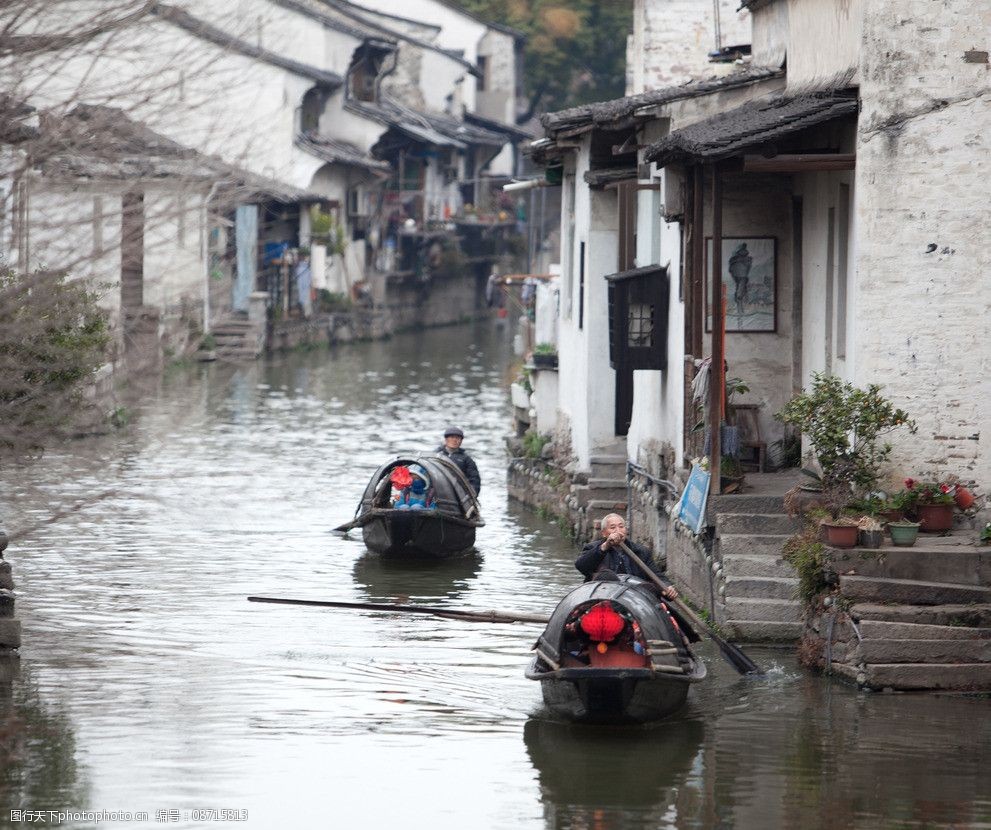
[{"x": 841, "y": 169}]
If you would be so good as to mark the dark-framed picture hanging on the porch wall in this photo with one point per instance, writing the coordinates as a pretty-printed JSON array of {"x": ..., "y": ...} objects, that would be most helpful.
[{"x": 750, "y": 275}]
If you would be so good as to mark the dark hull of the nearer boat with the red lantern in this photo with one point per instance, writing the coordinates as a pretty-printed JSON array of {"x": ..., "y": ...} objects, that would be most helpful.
[{"x": 611, "y": 695}]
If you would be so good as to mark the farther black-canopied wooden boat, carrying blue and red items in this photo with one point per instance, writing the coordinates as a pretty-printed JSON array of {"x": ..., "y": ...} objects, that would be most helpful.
[{"x": 446, "y": 529}]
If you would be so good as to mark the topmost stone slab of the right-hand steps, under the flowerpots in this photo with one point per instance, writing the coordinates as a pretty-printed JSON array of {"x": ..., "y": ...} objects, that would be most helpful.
[{"x": 958, "y": 565}]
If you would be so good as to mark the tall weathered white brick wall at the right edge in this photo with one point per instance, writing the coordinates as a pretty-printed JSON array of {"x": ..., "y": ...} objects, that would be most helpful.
[{"x": 923, "y": 292}]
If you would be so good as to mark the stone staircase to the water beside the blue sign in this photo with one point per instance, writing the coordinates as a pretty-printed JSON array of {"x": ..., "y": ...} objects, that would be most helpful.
[{"x": 754, "y": 587}]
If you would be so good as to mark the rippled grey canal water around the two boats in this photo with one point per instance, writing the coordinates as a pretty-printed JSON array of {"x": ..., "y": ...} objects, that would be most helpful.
[{"x": 149, "y": 683}]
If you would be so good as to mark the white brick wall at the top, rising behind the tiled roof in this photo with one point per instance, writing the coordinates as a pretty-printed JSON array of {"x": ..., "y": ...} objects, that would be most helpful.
[{"x": 672, "y": 39}]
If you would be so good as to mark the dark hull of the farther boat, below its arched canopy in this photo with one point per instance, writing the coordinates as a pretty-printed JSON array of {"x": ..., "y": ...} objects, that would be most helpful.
[{"x": 417, "y": 534}]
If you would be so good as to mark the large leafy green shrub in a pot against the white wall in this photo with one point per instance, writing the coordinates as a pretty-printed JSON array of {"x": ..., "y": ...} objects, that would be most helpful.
[{"x": 844, "y": 424}]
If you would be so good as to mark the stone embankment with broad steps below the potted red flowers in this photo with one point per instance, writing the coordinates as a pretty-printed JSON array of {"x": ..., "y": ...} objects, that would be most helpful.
[{"x": 907, "y": 618}]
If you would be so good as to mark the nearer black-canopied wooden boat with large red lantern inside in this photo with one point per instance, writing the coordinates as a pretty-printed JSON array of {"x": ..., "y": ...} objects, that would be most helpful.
[{"x": 611, "y": 653}]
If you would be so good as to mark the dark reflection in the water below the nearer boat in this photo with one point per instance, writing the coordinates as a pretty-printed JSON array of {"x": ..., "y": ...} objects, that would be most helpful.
[{"x": 613, "y": 778}]
